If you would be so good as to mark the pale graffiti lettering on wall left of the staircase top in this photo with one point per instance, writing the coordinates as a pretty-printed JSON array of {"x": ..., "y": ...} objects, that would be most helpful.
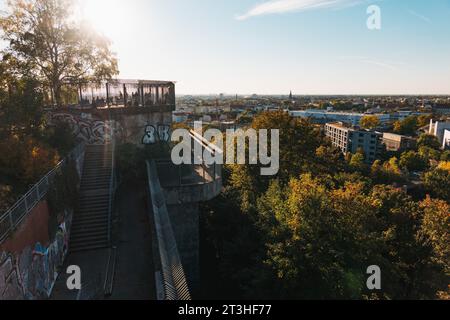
[{"x": 84, "y": 127}]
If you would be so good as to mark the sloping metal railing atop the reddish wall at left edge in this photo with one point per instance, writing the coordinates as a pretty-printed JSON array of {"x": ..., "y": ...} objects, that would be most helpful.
[{"x": 14, "y": 216}]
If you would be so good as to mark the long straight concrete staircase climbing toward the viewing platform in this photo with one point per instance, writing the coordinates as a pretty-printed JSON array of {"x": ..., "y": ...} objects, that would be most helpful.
[{"x": 90, "y": 223}]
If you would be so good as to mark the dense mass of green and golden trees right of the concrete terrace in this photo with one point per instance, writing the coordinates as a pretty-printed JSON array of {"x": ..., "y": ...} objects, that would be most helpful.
[{"x": 312, "y": 231}]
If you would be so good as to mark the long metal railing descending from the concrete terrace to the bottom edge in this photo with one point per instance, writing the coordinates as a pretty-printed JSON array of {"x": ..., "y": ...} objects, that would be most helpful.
[{"x": 175, "y": 286}]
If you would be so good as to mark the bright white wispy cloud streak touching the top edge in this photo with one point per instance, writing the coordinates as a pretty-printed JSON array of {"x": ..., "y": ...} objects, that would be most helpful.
[{"x": 283, "y": 6}]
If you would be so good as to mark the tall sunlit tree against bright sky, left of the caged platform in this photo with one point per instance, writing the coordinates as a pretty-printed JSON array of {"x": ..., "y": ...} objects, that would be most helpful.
[{"x": 44, "y": 39}]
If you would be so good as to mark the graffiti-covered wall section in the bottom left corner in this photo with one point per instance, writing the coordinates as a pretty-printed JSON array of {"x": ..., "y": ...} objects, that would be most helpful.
[{"x": 31, "y": 274}]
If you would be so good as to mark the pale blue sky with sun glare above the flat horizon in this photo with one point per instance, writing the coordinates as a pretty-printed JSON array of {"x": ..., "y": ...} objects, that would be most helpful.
[{"x": 275, "y": 46}]
